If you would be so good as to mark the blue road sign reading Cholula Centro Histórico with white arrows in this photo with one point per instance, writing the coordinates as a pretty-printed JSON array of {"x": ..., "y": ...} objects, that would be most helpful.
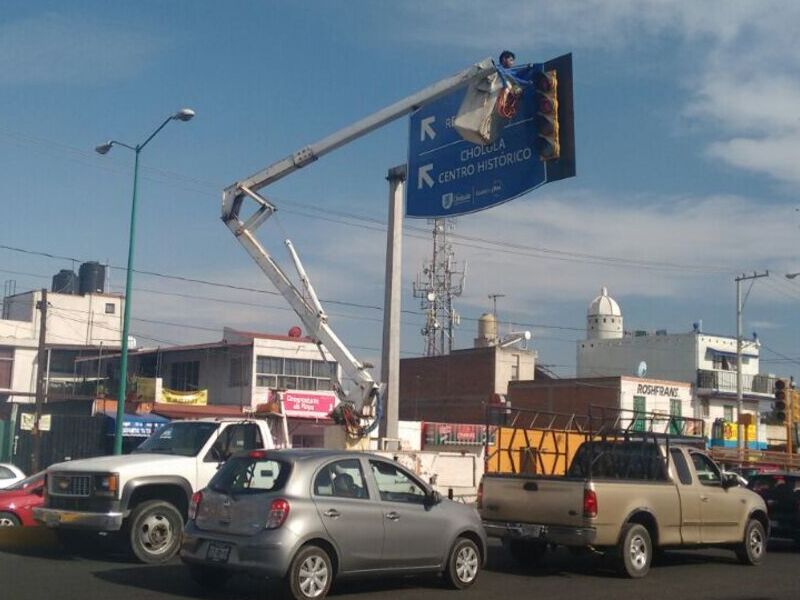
[{"x": 448, "y": 176}]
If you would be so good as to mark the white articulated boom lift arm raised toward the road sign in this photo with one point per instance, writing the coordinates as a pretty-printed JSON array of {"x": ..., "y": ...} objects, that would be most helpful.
[{"x": 305, "y": 302}]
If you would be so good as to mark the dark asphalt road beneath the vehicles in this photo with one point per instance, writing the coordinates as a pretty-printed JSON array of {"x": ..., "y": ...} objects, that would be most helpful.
[{"x": 37, "y": 569}]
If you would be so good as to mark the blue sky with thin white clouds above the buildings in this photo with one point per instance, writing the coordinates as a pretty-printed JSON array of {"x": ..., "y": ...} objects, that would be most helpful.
[{"x": 687, "y": 137}]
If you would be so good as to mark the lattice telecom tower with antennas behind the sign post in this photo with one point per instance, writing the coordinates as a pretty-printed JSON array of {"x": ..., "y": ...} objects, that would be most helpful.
[{"x": 437, "y": 285}]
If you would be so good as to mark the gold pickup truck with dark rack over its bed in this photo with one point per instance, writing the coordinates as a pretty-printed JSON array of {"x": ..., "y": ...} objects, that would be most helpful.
[{"x": 626, "y": 499}]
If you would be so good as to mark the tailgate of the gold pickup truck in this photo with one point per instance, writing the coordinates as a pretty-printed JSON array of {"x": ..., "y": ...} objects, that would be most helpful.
[{"x": 551, "y": 501}]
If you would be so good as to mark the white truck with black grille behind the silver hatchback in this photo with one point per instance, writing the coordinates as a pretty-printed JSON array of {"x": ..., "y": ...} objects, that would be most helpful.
[{"x": 144, "y": 496}]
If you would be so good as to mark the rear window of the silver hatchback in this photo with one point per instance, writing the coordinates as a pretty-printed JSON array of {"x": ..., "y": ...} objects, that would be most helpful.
[{"x": 249, "y": 475}]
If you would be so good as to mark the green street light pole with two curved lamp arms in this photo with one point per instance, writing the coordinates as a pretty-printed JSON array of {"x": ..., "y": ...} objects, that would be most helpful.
[{"x": 185, "y": 114}]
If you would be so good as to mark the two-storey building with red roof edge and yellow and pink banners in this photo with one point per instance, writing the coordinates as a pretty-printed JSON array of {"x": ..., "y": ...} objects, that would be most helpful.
[{"x": 232, "y": 376}]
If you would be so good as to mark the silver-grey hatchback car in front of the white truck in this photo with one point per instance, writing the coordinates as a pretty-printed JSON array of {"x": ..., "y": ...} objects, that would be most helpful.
[{"x": 309, "y": 516}]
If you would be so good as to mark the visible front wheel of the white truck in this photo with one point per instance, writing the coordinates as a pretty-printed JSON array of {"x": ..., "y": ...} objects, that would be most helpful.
[{"x": 154, "y": 533}]
